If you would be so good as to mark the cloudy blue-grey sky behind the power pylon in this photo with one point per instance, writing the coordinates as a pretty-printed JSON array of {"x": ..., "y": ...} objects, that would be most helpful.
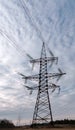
[{"x": 24, "y": 25}]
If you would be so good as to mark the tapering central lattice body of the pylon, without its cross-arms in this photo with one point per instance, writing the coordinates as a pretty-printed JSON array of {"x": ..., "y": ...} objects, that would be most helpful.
[{"x": 42, "y": 112}]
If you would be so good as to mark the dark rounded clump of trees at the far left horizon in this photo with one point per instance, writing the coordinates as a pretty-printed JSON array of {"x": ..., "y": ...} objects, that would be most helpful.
[{"x": 6, "y": 124}]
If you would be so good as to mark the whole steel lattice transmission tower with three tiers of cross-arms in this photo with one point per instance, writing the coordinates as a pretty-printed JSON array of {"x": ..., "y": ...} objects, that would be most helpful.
[{"x": 42, "y": 111}]
